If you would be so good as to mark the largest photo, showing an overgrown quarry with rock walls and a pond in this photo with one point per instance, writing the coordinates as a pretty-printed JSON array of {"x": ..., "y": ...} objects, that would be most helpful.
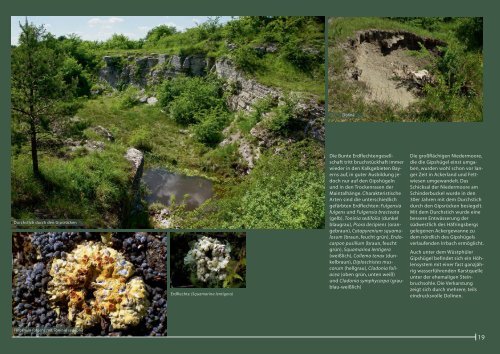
[{"x": 206, "y": 124}]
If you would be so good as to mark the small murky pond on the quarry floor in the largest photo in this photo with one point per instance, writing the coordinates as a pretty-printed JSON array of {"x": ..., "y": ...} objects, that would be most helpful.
[{"x": 165, "y": 185}]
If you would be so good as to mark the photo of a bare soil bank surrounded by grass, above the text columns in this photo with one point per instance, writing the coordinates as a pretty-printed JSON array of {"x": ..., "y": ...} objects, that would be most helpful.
[{"x": 415, "y": 69}]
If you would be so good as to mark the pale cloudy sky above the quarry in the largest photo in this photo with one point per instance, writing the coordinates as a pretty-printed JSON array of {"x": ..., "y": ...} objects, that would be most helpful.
[{"x": 103, "y": 27}]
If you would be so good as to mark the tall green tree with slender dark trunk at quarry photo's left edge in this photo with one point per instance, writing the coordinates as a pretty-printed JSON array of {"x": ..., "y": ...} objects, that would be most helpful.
[{"x": 37, "y": 83}]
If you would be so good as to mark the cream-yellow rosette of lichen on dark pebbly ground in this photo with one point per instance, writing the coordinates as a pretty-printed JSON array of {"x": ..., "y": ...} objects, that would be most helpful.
[{"x": 94, "y": 282}]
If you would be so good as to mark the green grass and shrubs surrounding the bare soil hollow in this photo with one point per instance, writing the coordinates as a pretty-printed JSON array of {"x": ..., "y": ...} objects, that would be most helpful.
[{"x": 456, "y": 95}]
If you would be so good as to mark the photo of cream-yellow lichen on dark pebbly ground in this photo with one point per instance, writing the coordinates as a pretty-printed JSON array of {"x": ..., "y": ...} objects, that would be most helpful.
[{"x": 89, "y": 284}]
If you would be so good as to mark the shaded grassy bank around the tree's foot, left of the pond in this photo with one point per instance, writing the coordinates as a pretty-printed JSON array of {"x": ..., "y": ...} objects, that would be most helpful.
[{"x": 92, "y": 187}]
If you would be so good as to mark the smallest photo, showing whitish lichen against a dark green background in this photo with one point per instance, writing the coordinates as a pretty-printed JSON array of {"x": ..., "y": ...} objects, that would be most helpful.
[{"x": 208, "y": 260}]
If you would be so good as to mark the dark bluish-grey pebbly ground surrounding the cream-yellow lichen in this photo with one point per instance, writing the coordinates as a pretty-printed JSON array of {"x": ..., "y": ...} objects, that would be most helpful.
[{"x": 33, "y": 253}]
